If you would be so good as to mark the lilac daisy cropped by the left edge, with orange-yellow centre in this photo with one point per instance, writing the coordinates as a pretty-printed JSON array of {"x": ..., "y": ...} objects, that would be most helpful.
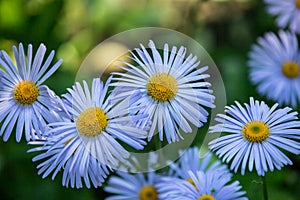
[{"x": 24, "y": 102}]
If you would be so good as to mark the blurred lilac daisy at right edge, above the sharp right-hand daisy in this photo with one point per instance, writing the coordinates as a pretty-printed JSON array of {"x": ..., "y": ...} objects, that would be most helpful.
[{"x": 275, "y": 67}]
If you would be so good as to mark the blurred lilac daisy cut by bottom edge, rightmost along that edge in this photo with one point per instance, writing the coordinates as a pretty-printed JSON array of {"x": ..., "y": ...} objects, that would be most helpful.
[{"x": 206, "y": 186}]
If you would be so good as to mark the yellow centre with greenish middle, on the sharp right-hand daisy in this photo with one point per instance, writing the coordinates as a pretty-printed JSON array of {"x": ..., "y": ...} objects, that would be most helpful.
[{"x": 256, "y": 131}]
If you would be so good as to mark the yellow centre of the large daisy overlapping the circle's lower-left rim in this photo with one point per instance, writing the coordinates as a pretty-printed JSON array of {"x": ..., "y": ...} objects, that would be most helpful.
[{"x": 91, "y": 121}]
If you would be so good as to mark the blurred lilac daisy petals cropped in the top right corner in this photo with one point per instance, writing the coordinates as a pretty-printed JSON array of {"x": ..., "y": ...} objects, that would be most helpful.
[{"x": 287, "y": 12}]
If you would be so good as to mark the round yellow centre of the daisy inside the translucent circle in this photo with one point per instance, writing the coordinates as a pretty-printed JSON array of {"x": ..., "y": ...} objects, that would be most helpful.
[{"x": 162, "y": 87}]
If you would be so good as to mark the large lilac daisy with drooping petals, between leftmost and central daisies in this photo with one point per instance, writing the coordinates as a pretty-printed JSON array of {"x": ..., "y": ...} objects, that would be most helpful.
[{"x": 84, "y": 144}]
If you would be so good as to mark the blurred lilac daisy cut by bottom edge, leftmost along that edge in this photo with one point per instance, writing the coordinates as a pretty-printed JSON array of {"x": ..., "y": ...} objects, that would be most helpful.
[{"x": 133, "y": 186}]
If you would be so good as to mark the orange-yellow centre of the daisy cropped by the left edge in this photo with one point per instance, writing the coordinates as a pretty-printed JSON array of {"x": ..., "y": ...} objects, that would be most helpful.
[{"x": 26, "y": 92}]
